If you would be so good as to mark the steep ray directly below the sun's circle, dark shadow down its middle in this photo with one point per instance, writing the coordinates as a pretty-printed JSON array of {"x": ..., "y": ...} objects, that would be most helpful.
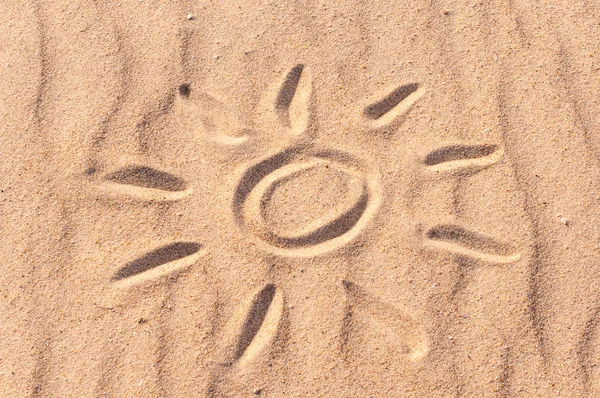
[{"x": 255, "y": 326}]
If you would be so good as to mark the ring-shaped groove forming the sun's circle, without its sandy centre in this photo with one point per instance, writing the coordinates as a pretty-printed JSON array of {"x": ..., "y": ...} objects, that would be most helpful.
[{"x": 325, "y": 234}]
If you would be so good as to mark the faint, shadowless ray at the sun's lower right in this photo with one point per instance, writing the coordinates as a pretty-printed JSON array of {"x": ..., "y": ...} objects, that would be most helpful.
[{"x": 406, "y": 330}]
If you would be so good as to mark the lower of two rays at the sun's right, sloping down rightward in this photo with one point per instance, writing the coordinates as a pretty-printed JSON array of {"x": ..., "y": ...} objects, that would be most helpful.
[{"x": 470, "y": 244}]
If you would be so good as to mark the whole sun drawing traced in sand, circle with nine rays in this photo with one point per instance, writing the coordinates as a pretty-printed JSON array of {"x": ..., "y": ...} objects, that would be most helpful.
[{"x": 305, "y": 200}]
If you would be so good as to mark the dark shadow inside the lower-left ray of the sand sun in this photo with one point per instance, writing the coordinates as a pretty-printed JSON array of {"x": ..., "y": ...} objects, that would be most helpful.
[{"x": 158, "y": 257}]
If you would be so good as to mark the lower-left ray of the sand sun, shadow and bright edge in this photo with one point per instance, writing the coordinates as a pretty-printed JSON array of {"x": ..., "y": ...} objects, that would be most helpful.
[{"x": 160, "y": 262}]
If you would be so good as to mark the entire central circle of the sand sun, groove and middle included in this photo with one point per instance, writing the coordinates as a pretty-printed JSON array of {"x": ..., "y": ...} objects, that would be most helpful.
[{"x": 305, "y": 203}]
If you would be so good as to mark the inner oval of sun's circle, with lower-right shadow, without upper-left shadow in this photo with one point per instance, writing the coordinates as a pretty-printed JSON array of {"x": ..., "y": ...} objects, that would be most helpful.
[{"x": 306, "y": 203}]
